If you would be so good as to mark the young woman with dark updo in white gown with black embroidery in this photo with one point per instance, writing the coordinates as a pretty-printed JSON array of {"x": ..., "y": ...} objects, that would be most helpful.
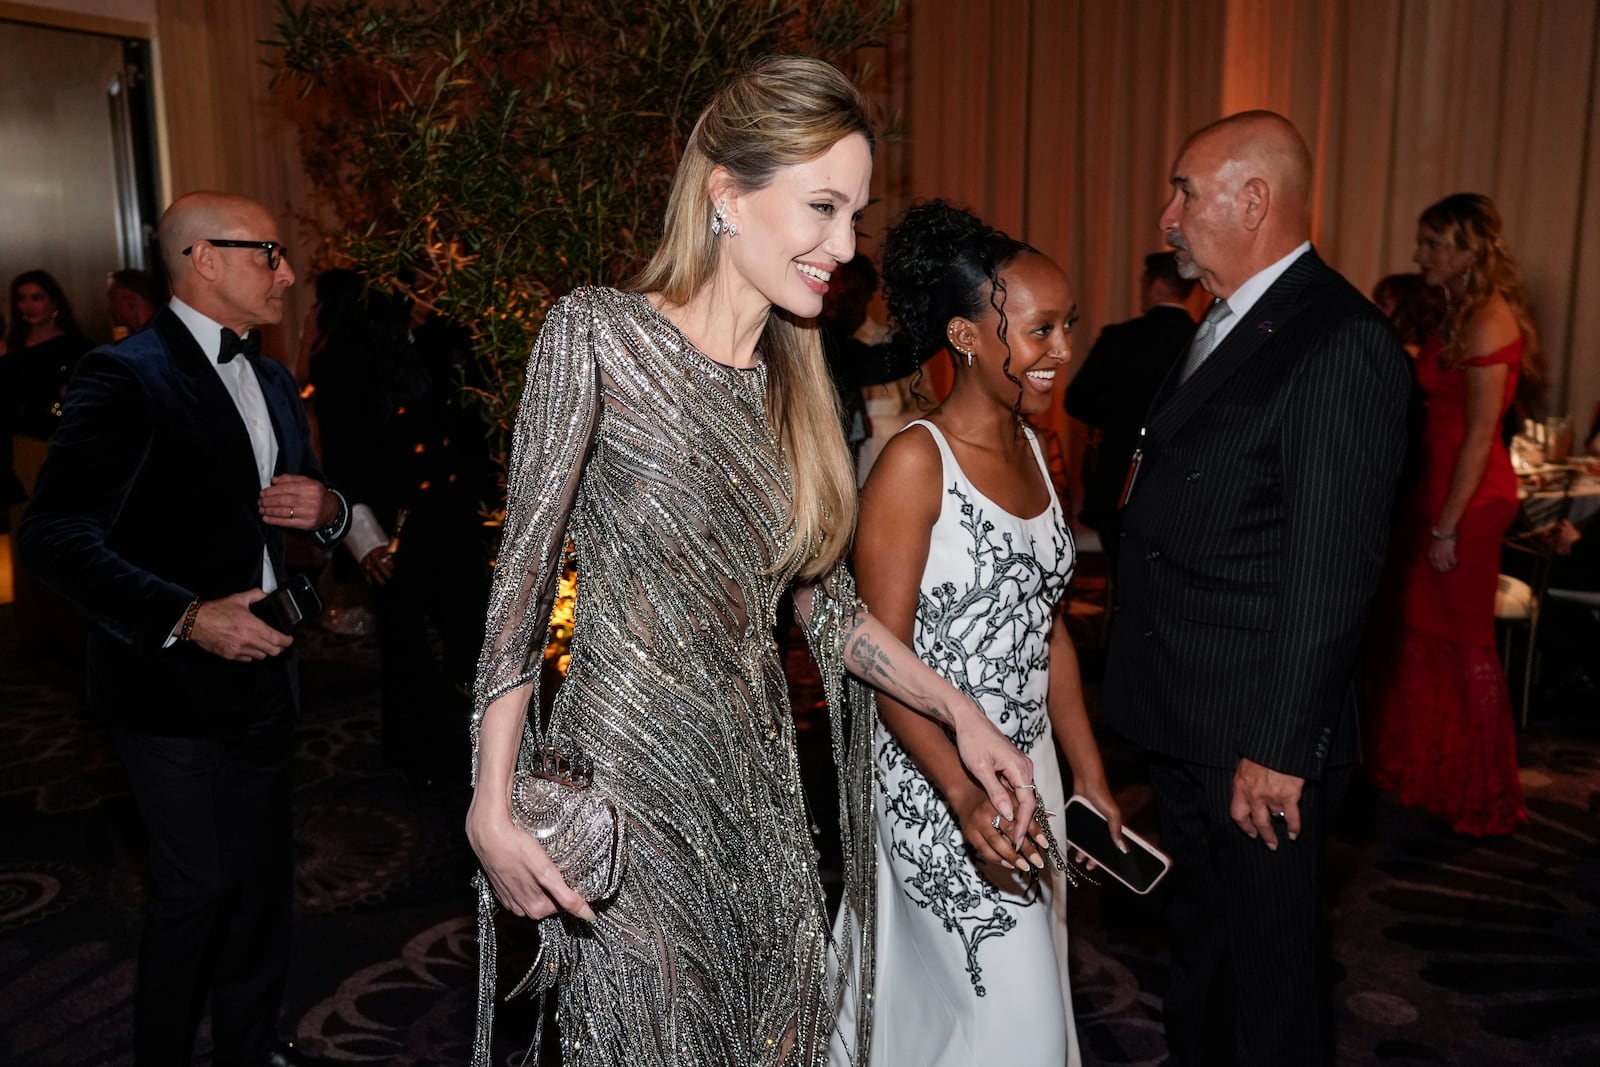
[{"x": 964, "y": 553}]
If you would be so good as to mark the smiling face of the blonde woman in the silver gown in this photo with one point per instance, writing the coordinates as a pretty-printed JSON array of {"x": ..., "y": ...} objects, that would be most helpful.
[{"x": 799, "y": 228}]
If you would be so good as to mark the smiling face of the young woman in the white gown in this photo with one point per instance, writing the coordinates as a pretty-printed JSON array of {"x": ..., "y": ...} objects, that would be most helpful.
[{"x": 1039, "y": 332}]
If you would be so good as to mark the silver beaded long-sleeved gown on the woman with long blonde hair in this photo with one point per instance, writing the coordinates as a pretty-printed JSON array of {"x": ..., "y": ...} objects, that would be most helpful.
[{"x": 663, "y": 470}]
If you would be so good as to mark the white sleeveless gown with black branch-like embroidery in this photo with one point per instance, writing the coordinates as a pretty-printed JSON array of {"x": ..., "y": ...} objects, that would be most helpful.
[{"x": 974, "y": 967}]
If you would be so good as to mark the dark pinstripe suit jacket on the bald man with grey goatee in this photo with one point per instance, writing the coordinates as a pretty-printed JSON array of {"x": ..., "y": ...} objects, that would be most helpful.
[{"x": 1255, "y": 535}]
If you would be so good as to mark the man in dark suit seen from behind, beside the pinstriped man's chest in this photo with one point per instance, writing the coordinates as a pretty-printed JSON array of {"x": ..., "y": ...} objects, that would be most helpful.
[{"x": 1119, "y": 380}]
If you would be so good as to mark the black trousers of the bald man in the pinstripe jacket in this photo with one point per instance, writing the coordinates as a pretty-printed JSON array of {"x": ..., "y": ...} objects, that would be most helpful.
[{"x": 1249, "y": 983}]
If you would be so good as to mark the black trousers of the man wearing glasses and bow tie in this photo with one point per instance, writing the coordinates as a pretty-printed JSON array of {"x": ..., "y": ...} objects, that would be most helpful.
[{"x": 217, "y": 813}]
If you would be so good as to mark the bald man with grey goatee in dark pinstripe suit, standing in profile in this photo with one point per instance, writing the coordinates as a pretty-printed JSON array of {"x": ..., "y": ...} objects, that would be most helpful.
[{"x": 1255, "y": 533}]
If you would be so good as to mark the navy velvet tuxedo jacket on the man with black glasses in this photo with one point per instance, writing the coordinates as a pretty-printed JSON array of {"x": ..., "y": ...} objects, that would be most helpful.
[{"x": 150, "y": 500}]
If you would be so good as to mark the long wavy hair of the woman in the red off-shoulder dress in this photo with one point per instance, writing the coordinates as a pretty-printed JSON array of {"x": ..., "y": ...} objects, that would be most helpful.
[{"x": 1473, "y": 223}]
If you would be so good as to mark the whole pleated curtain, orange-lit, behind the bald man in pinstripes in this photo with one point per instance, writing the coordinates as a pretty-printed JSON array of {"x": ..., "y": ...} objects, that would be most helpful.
[{"x": 1058, "y": 121}]
